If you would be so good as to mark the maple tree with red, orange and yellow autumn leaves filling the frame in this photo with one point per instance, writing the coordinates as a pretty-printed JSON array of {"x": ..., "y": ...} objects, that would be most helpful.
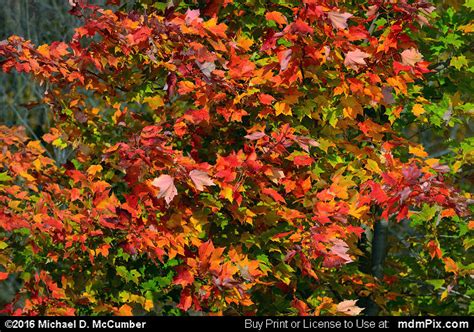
[{"x": 223, "y": 166}]
